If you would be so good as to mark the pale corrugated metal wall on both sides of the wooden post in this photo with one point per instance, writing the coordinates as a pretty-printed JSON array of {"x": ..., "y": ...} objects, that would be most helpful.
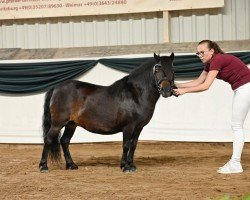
[{"x": 229, "y": 23}]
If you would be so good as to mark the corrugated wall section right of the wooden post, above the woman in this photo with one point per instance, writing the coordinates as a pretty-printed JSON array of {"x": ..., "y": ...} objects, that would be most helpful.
[{"x": 232, "y": 22}]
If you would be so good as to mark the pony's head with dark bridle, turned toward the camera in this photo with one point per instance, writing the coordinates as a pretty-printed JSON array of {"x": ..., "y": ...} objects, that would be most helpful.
[{"x": 164, "y": 74}]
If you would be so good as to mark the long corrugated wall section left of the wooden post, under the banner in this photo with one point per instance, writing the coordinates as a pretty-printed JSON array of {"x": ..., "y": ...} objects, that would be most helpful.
[{"x": 142, "y": 28}]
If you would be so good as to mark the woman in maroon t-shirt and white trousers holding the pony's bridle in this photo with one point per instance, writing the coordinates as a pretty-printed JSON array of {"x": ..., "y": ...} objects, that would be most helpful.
[{"x": 232, "y": 70}]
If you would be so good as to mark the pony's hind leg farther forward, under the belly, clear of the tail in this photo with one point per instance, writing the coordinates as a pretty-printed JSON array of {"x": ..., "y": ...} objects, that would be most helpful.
[{"x": 65, "y": 140}]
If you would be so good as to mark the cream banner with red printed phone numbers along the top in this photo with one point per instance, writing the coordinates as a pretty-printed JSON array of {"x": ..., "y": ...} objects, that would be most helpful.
[{"x": 17, "y": 9}]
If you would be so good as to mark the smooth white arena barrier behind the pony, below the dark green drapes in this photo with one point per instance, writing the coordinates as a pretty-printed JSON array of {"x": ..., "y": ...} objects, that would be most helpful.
[{"x": 191, "y": 117}]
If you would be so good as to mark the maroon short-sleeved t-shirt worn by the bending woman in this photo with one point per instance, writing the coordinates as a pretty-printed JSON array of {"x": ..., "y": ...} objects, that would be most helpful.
[{"x": 231, "y": 69}]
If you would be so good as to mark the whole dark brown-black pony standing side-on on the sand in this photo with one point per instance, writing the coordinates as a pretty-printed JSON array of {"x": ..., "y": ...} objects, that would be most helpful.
[{"x": 125, "y": 106}]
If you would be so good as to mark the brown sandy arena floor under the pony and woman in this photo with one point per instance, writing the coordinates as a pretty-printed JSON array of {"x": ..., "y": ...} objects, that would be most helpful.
[{"x": 166, "y": 170}]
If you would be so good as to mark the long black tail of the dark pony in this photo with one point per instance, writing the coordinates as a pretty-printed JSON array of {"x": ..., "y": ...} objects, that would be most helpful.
[{"x": 54, "y": 146}]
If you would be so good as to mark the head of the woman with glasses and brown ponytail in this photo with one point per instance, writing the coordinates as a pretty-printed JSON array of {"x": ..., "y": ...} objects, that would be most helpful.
[{"x": 206, "y": 49}]
